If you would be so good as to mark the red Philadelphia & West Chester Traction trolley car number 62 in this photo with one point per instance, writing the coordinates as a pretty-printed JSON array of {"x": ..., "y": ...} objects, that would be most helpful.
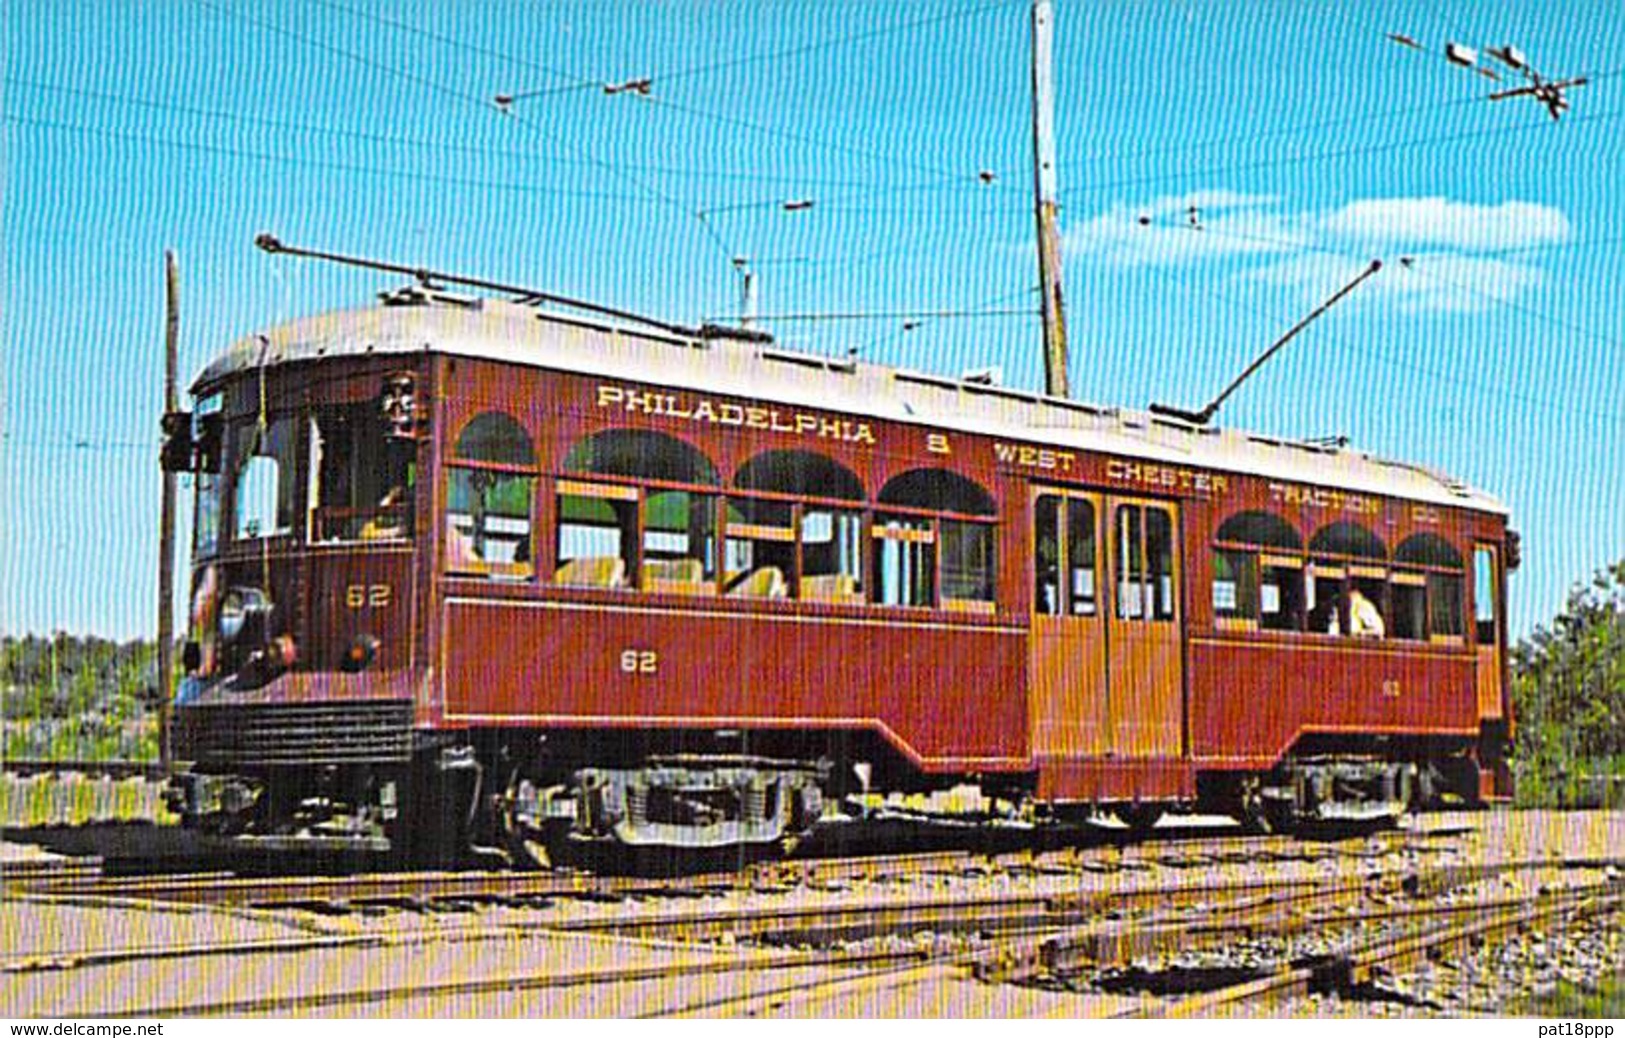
[{"x": 467, "y": 569}]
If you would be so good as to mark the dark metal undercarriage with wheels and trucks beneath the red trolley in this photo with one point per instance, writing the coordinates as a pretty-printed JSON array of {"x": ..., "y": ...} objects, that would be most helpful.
[{"x": 509, "y": 798}]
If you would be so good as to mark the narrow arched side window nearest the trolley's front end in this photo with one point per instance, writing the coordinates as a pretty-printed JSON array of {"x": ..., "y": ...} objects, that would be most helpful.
[{"x": 492, "y": 482}]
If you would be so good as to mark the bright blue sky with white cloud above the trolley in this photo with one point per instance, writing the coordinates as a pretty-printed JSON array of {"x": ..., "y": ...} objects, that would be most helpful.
[{"x": 1306, "y": 142}]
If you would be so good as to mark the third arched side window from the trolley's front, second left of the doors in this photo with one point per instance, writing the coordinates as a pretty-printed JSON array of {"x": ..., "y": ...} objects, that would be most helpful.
[{"x": 795, "y": 535}]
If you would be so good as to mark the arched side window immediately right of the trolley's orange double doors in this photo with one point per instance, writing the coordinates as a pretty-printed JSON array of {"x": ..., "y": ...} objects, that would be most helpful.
[{"x": 1259, "y": 574}]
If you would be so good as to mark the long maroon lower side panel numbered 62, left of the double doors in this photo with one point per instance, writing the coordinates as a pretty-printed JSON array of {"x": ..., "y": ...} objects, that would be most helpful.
[{"x": 948, "y": 696}]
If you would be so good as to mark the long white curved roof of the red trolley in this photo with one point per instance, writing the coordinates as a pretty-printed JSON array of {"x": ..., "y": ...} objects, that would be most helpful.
[{"x": 513, "y": 334}]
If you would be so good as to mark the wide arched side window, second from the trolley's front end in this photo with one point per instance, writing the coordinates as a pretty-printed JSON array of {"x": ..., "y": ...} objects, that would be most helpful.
[{"x": 622, "y": 482}]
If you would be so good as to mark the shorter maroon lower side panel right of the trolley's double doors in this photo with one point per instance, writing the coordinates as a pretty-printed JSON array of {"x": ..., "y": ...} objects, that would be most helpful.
[{"x": 1252, "y": 698}]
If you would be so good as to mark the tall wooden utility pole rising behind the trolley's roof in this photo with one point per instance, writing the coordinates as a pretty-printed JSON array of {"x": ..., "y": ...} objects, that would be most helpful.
[{"x": 1046, "y": 201}]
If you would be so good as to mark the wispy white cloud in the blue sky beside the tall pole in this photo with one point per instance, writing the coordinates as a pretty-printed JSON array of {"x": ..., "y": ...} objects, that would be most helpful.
[{"x": 1319, "y": 251}]
